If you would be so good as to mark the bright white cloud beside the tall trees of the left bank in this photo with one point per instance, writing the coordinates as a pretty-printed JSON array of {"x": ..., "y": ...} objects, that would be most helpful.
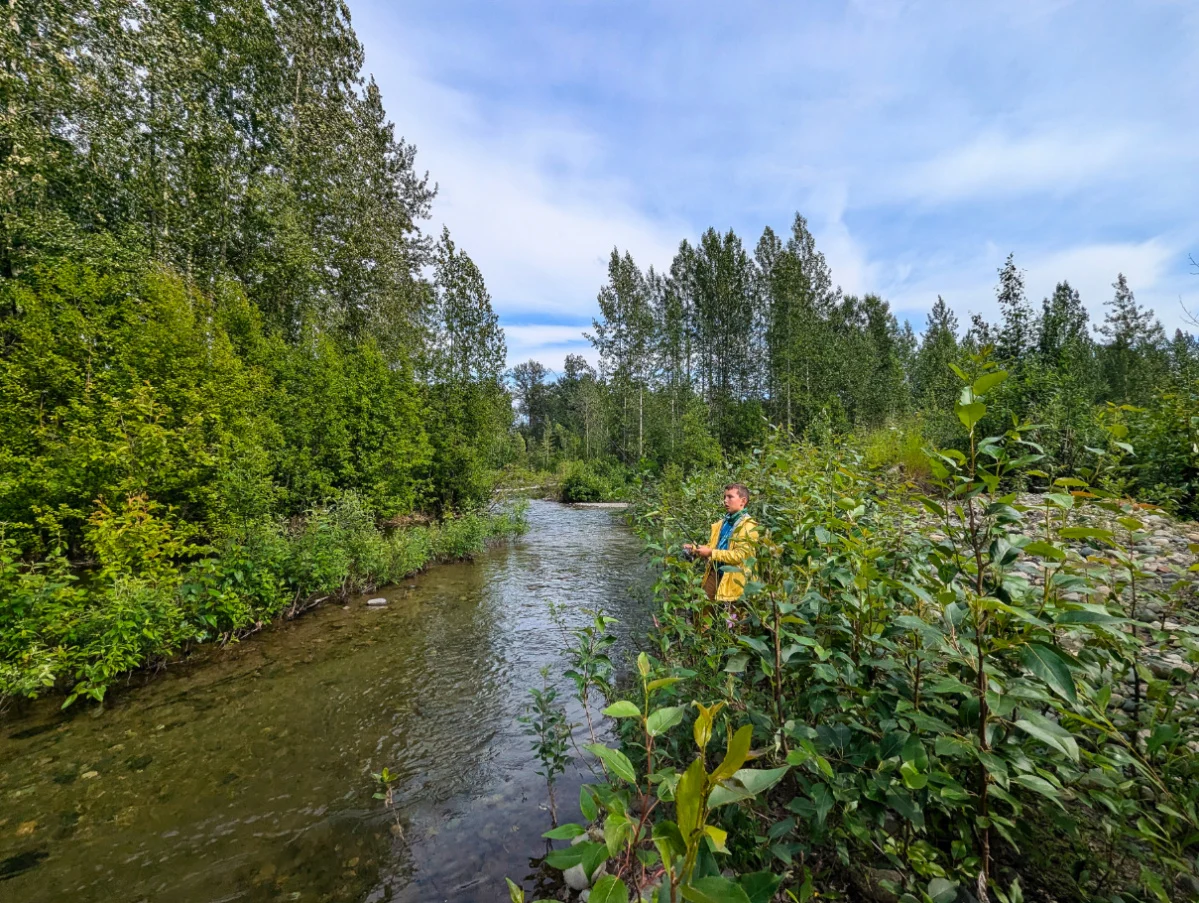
[{"x": 523, "y": 198}]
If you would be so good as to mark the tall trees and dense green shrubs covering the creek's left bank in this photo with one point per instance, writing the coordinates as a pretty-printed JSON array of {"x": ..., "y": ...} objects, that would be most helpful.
[{"x": 228, "y": 354}]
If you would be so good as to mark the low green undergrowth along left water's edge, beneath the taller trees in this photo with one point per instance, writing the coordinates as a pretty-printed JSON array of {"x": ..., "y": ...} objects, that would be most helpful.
[{"x": 154, "y": 589}]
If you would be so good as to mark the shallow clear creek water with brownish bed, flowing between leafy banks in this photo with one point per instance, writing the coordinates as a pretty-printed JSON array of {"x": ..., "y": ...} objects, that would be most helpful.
[{"x": 245, "y": 774}]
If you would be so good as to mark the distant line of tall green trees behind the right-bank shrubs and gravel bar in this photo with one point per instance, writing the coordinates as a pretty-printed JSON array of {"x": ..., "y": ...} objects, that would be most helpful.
[{"x": 703, "y": 359}]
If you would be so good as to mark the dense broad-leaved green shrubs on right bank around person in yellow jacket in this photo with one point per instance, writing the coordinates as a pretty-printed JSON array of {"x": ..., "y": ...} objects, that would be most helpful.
[{"x": 949, "y": 693}]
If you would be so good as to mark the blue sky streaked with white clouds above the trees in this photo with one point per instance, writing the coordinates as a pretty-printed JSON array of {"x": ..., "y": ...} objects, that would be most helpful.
[{"x": 923, "y": 141}]
